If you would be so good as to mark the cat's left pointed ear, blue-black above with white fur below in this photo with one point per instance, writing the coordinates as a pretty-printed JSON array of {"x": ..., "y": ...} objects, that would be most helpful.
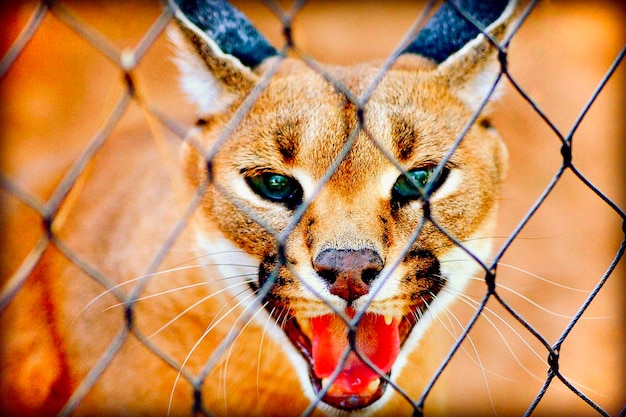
[{"x": 217, "y": 50}]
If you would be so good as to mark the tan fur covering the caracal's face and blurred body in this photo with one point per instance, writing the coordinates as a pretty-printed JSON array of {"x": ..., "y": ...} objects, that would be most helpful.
[{"x": 297, "y": 127}]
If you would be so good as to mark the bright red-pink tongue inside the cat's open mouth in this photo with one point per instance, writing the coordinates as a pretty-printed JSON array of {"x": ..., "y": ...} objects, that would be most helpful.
[{"x": 376, "y": 340}]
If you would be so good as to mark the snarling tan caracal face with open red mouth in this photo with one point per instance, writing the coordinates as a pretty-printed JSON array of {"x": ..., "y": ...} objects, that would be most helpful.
[{"x": 326, "y": 198}]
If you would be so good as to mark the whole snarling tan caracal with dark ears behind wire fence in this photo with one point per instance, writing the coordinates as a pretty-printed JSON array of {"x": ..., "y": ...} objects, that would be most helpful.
[{"x": 336, "y": 210}]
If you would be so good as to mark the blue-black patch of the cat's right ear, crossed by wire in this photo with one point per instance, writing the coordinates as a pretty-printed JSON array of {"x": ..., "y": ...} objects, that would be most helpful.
[{"x": 447, "y": 31}]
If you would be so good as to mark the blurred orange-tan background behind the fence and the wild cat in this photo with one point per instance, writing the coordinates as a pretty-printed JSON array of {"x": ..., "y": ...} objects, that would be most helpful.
[{"x": 60, "y": 89}]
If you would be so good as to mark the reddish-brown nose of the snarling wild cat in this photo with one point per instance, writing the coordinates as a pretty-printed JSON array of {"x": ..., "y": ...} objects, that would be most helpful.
[{"x": 348, "y": 272}]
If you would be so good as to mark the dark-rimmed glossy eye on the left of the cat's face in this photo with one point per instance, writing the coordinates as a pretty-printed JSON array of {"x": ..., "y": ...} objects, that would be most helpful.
[{"x": 276, "y": 187}]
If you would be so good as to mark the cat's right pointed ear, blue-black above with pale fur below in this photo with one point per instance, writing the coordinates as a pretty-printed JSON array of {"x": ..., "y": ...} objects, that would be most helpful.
[{"x": 468, "y": 61}]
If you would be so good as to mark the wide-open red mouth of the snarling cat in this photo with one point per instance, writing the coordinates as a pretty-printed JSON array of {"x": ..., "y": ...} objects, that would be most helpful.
[{"x": 348, "y": 382}]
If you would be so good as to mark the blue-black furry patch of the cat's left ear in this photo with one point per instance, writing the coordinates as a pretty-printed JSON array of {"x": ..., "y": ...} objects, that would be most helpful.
[{"x": 229, "y": 28}]
